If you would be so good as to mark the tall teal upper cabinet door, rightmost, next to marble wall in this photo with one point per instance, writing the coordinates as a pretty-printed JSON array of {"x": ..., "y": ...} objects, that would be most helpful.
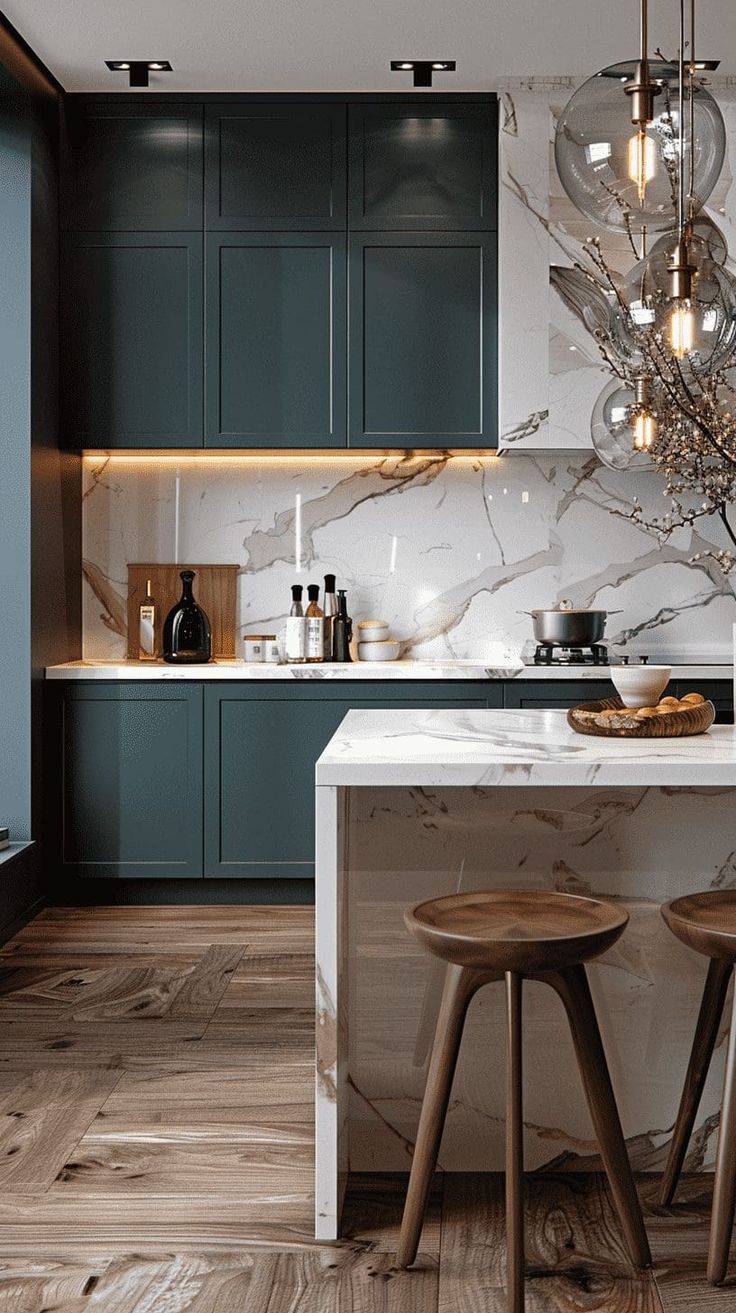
[{"x": 423, "y": 339}]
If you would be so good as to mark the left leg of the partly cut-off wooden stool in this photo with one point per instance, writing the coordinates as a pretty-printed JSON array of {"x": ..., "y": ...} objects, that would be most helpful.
[{"x": 704, "y": 1044}]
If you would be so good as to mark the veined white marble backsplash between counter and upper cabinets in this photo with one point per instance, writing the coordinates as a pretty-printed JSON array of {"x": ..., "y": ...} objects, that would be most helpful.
[{"x": 452, "y": 552}]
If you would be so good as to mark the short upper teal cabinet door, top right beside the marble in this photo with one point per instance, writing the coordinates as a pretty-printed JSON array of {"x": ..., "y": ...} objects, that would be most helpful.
[{"x": 423, "y": 167}]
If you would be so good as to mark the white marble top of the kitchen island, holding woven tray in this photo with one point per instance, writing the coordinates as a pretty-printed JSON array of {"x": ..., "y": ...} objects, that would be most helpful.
[{"x": 493, "y": 748}]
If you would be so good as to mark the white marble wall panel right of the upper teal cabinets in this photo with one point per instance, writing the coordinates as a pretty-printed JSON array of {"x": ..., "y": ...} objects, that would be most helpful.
[{"x": 550, "y": 368}]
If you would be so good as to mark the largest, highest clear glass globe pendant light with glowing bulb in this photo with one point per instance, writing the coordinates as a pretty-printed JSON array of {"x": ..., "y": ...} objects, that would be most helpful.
[{"x": 620, "y": 137}]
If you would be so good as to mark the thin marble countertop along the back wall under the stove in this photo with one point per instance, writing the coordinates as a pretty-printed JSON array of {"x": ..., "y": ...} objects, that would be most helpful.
[{"x": 415, "y": 670}]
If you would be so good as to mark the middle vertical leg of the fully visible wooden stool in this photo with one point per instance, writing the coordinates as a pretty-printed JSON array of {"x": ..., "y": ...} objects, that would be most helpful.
[{"x": 515, "y": 1147}]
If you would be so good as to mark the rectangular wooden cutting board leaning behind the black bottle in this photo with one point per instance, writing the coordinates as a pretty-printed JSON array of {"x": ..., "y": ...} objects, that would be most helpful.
[{"x": 216, "y": 589}]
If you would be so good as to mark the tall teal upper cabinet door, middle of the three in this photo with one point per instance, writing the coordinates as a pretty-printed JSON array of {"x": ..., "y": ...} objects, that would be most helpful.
[{"x": 276, "y": 341}]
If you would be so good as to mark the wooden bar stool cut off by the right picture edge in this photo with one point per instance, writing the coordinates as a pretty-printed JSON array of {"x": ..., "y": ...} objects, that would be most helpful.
[{"x": 708, "y": 924}]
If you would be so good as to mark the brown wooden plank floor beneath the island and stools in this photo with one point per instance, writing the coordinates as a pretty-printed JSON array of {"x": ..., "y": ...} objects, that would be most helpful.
[{"x": 157, "y": 1147}]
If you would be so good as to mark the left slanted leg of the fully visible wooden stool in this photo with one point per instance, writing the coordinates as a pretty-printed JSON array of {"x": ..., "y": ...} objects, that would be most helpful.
[{"x": 461, "y": 984}]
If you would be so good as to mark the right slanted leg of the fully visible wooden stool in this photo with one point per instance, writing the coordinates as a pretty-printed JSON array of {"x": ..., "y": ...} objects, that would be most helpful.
[{"x": 575, "y": 992}]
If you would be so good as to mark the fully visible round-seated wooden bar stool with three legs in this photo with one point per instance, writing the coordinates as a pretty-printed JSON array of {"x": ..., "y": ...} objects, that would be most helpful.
[{"x": 515, "y": 936}]
